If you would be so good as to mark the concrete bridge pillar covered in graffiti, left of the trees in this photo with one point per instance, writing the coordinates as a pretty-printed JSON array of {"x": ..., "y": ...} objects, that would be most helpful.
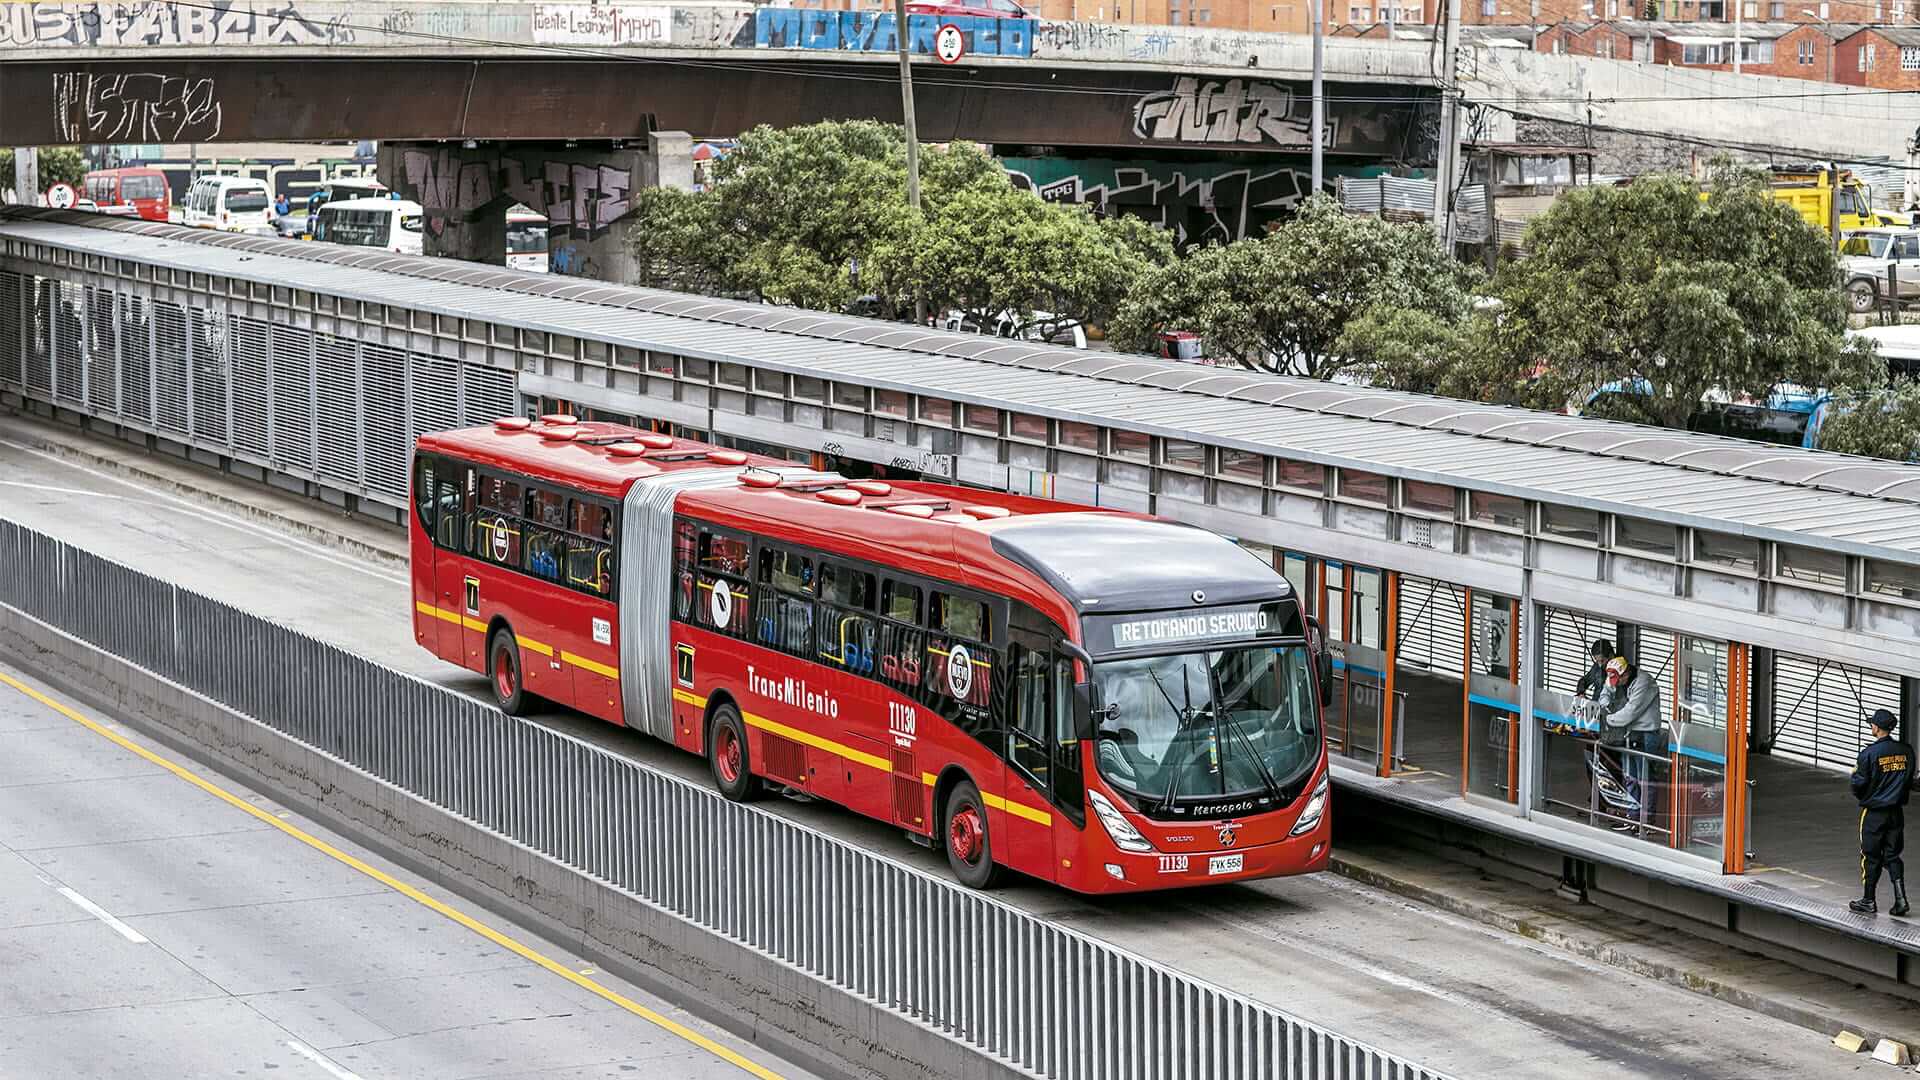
[{"x": 583, "y": 189}]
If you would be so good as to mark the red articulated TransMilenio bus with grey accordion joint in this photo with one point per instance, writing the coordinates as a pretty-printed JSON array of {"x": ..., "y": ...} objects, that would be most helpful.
[{"x": 1093, "y": 699}]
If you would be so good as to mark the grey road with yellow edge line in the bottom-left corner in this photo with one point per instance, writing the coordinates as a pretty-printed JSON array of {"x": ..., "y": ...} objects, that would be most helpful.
[{"x": 160, "y": 921}]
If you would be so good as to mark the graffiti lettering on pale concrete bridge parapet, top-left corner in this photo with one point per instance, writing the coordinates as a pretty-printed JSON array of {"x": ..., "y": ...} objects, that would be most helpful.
[{"x": 168, "y": 24}]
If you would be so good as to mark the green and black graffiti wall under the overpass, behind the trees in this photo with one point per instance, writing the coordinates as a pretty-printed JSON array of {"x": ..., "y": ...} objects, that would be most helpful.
[{"x": 1199, "y": 203}]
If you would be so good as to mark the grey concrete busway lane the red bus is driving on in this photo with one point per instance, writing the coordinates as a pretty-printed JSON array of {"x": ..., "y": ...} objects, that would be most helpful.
[{"x": 1403, "y": 952}]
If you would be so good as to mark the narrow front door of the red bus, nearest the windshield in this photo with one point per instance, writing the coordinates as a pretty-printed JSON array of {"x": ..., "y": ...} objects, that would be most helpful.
[{"x": 1030, "y": 768}]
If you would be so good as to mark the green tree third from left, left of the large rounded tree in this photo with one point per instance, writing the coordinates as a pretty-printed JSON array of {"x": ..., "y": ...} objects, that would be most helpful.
[{"x": 1322, "y": 295}]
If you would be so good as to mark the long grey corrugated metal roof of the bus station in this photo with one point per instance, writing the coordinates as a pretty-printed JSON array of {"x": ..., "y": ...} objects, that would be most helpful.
[{"x": 1790, "y": 495}]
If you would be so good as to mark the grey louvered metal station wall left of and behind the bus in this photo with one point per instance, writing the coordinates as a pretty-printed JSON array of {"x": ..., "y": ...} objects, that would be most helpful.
[{"x": 237, "y": 378}]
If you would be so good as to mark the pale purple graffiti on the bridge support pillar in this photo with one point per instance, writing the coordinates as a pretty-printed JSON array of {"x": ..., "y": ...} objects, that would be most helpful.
[{"x": 579, "y": 199}]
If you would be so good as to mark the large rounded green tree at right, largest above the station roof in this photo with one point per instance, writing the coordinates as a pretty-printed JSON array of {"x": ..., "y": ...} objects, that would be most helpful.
[{"x": 1656, "y": 289}]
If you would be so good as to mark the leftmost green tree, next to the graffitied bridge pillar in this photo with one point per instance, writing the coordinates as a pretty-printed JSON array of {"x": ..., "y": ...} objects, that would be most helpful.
[{"x": 794, "y": 216}]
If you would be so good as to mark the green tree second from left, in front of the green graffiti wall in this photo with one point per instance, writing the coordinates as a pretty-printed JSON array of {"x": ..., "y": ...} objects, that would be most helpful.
[{"x": 994, "y": 251}]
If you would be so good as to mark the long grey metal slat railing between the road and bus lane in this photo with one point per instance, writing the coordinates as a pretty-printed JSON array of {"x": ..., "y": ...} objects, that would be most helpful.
[{"x": 1045, "y": 1000}]
